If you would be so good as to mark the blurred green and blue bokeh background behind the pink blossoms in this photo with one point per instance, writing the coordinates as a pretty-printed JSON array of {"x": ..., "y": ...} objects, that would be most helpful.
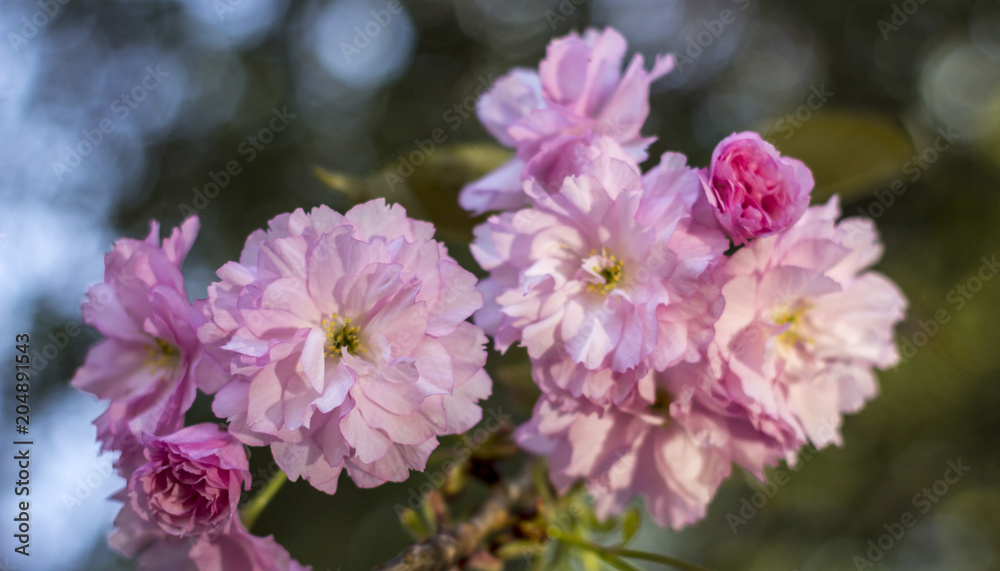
[{"x": 868, "y": 93}]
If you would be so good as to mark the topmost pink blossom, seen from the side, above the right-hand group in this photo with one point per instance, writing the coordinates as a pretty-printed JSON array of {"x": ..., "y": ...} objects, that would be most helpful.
[{"x": 579, "y": 88}]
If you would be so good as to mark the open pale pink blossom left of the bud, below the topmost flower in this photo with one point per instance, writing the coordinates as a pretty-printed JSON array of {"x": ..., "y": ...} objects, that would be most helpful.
[{"x": 604, "y": 273}]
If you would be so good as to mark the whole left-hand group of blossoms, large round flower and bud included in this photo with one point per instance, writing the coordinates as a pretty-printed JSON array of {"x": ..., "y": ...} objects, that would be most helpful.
[{"x": 340, "y": 341}]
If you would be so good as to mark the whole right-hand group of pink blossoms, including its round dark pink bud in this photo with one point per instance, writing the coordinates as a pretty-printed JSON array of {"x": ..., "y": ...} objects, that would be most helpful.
[{"x": 678, "y": 321}]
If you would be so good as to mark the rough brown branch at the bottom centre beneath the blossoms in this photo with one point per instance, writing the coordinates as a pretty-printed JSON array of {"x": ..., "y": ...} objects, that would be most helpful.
[{"x": 445, "y": 549}]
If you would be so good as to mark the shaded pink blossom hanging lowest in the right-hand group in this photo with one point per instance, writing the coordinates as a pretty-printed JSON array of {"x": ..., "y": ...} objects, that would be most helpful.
[{"x": 667, "y": 442}]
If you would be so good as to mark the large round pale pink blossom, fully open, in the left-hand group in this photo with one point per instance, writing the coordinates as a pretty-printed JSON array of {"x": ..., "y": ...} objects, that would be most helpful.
[{"x": 347, "y": 339}]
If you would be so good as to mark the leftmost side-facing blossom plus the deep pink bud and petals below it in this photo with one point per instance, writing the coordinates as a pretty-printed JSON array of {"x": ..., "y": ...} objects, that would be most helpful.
[{"x": 183, "y": 483}]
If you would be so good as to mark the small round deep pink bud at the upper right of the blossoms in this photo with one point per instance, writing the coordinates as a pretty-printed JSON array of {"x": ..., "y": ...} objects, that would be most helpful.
[{"x": 755, "y": 191}]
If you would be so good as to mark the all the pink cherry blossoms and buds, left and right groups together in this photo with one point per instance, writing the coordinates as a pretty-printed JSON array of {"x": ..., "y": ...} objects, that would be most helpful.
[{"x": 678, "y": 321}]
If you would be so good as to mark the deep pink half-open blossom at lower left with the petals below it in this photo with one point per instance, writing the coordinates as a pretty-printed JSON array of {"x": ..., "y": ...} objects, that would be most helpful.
[{"x": 180, "y": 507}]
